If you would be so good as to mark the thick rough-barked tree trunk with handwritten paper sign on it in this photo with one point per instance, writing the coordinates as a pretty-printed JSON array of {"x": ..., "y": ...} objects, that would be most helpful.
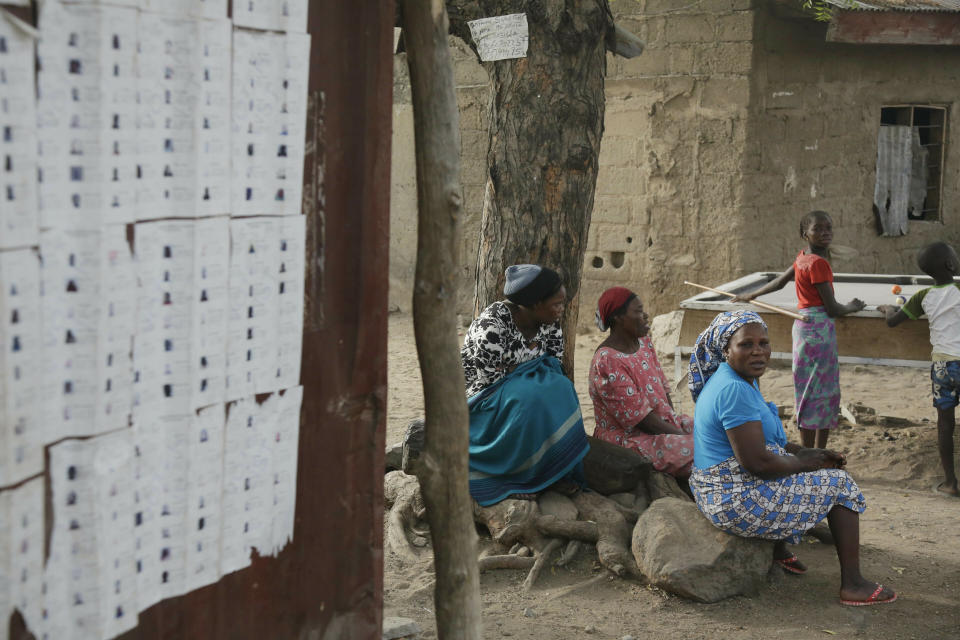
[{"x": 546, "y": 121}]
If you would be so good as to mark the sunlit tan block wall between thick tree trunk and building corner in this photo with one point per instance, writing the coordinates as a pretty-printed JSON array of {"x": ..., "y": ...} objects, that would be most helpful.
[{"x": 672, "y": 152}]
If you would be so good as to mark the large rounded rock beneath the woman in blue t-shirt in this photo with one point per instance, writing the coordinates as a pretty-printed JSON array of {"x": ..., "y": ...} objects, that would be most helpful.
[{"x": 678, "y": 550}]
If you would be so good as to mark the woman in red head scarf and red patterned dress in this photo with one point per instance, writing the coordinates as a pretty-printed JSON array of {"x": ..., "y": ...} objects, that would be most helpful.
[{"x": 630, "y": 394}]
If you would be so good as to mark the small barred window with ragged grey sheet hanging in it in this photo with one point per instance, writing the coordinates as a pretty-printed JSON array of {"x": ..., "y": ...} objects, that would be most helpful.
[{"x": 910, "y": 154}]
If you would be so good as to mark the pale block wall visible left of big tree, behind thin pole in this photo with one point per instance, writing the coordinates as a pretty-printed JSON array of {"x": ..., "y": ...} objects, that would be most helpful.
[{"x": 472, "y": 95}]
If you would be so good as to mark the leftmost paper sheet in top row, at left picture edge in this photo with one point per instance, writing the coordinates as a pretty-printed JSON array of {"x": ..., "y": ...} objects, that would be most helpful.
[{"x": 18, "y": 138}]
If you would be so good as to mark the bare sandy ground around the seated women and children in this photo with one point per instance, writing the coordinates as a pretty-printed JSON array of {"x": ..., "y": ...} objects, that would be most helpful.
[{"x": 910, "y": 538}]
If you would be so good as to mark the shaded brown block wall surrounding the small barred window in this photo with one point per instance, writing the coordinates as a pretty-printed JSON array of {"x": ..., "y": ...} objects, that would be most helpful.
[{"x": 812, "y": 142}]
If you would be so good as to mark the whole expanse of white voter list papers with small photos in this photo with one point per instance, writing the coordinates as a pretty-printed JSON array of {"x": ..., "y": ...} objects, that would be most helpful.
[{"x": 151, "y": 301}]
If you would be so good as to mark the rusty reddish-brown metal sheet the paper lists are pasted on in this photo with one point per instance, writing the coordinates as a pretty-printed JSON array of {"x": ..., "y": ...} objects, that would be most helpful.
[{"x": 328, "y": 583}]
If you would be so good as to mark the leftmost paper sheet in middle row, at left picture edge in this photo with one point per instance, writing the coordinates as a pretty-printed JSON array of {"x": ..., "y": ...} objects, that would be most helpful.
[{"x": 22, "y": 432}]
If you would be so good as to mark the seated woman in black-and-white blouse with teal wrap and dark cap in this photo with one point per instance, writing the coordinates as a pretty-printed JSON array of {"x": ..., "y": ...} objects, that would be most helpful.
[{"x": 526, "y": 431}]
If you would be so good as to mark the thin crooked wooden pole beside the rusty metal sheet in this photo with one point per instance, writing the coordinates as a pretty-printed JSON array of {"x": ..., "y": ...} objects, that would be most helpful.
[{"x": 443, "y": 464}]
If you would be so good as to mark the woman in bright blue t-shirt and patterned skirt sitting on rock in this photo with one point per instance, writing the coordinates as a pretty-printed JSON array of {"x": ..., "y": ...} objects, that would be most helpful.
[{"x": 747, "y": 479}]
